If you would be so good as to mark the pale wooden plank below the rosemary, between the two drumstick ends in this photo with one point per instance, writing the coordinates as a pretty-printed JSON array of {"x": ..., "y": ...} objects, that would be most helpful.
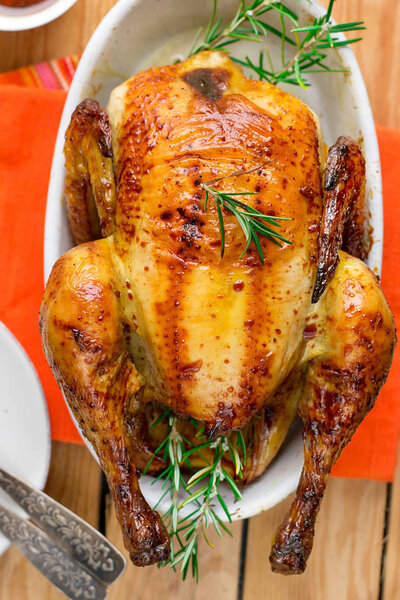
[{"x": 218, "y": 567}]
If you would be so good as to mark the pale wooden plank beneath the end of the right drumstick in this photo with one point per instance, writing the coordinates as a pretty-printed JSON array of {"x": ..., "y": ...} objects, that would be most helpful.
[{"x": 345, "y": 562}]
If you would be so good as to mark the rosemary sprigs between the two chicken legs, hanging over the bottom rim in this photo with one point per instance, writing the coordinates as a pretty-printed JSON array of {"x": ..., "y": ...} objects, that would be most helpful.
[{"x": 185, "y": 531}]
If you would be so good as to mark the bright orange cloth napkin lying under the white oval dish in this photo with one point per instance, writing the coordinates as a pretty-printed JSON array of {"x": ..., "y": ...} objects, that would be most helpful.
[{"x": 28, "y": 125}]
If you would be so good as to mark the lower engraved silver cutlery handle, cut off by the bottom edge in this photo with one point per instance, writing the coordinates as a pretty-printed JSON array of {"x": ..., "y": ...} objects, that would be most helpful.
[{"x": 50, "y": 559}]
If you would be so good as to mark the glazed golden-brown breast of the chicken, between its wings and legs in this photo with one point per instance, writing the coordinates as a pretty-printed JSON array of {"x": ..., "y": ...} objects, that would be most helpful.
[{"x": 188, "y": 305}]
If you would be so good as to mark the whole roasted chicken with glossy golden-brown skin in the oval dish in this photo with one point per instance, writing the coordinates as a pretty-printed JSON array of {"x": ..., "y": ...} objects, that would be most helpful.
[{"x": 146, "y": 312}]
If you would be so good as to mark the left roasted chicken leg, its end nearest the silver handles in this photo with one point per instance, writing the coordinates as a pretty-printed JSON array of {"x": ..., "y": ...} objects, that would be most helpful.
[{"x": 83, "y": 338}]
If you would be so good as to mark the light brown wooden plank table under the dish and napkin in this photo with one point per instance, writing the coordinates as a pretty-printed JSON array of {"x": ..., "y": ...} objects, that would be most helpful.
[{"x": 358, "y": 533}]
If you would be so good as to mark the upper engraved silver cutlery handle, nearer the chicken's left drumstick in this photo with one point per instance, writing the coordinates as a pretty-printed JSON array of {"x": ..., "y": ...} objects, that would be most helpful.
[{"x": 84, "y": 543}]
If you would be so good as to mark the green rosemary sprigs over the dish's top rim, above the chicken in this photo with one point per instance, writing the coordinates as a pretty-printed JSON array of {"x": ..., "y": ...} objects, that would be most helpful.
[{"x": 311, "y": 43}]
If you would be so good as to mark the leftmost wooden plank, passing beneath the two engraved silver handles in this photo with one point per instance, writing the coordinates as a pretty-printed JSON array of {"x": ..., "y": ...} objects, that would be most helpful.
[{"x": 74, "y": 480}]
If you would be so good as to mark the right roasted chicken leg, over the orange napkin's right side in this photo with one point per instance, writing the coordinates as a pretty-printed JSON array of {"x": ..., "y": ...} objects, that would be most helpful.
[{"x": 348, "y": 364}]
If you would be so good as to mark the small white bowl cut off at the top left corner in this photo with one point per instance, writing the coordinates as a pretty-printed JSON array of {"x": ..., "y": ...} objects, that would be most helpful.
[{"x": 19, "y": 19}]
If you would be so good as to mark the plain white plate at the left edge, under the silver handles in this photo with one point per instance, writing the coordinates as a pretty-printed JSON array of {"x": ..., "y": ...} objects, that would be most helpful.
[{"x": 24, "y": 421}]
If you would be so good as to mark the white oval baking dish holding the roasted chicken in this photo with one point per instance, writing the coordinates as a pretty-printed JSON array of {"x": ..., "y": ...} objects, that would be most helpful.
[{"x": 139, "y": 33}]
